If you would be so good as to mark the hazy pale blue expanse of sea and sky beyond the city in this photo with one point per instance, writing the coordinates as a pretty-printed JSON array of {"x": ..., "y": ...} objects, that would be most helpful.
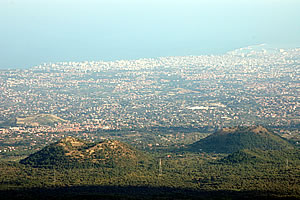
[{"x": 37, "y": 31}]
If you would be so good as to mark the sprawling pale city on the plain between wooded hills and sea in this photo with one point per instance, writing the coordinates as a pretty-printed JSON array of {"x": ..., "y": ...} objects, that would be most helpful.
[{"x": 248, "y": 86}]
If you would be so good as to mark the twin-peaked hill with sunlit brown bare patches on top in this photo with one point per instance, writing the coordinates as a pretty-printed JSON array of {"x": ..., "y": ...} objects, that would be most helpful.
[{"x": 72, "y": 152}]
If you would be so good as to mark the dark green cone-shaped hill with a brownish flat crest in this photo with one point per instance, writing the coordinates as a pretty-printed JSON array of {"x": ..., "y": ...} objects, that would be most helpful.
[{"x": 230, "y": 140}]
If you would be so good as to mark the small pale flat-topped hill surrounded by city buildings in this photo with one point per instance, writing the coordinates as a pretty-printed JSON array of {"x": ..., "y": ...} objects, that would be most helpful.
[{"x": 40, "y": 119}]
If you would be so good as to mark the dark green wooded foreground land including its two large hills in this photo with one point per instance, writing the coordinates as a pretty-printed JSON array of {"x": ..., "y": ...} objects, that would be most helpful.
[{"x": 260, "y": 171}]
